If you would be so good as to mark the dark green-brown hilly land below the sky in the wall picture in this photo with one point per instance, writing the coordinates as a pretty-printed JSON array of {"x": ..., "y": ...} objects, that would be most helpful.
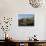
[{"x": 26, "y": 22}]
